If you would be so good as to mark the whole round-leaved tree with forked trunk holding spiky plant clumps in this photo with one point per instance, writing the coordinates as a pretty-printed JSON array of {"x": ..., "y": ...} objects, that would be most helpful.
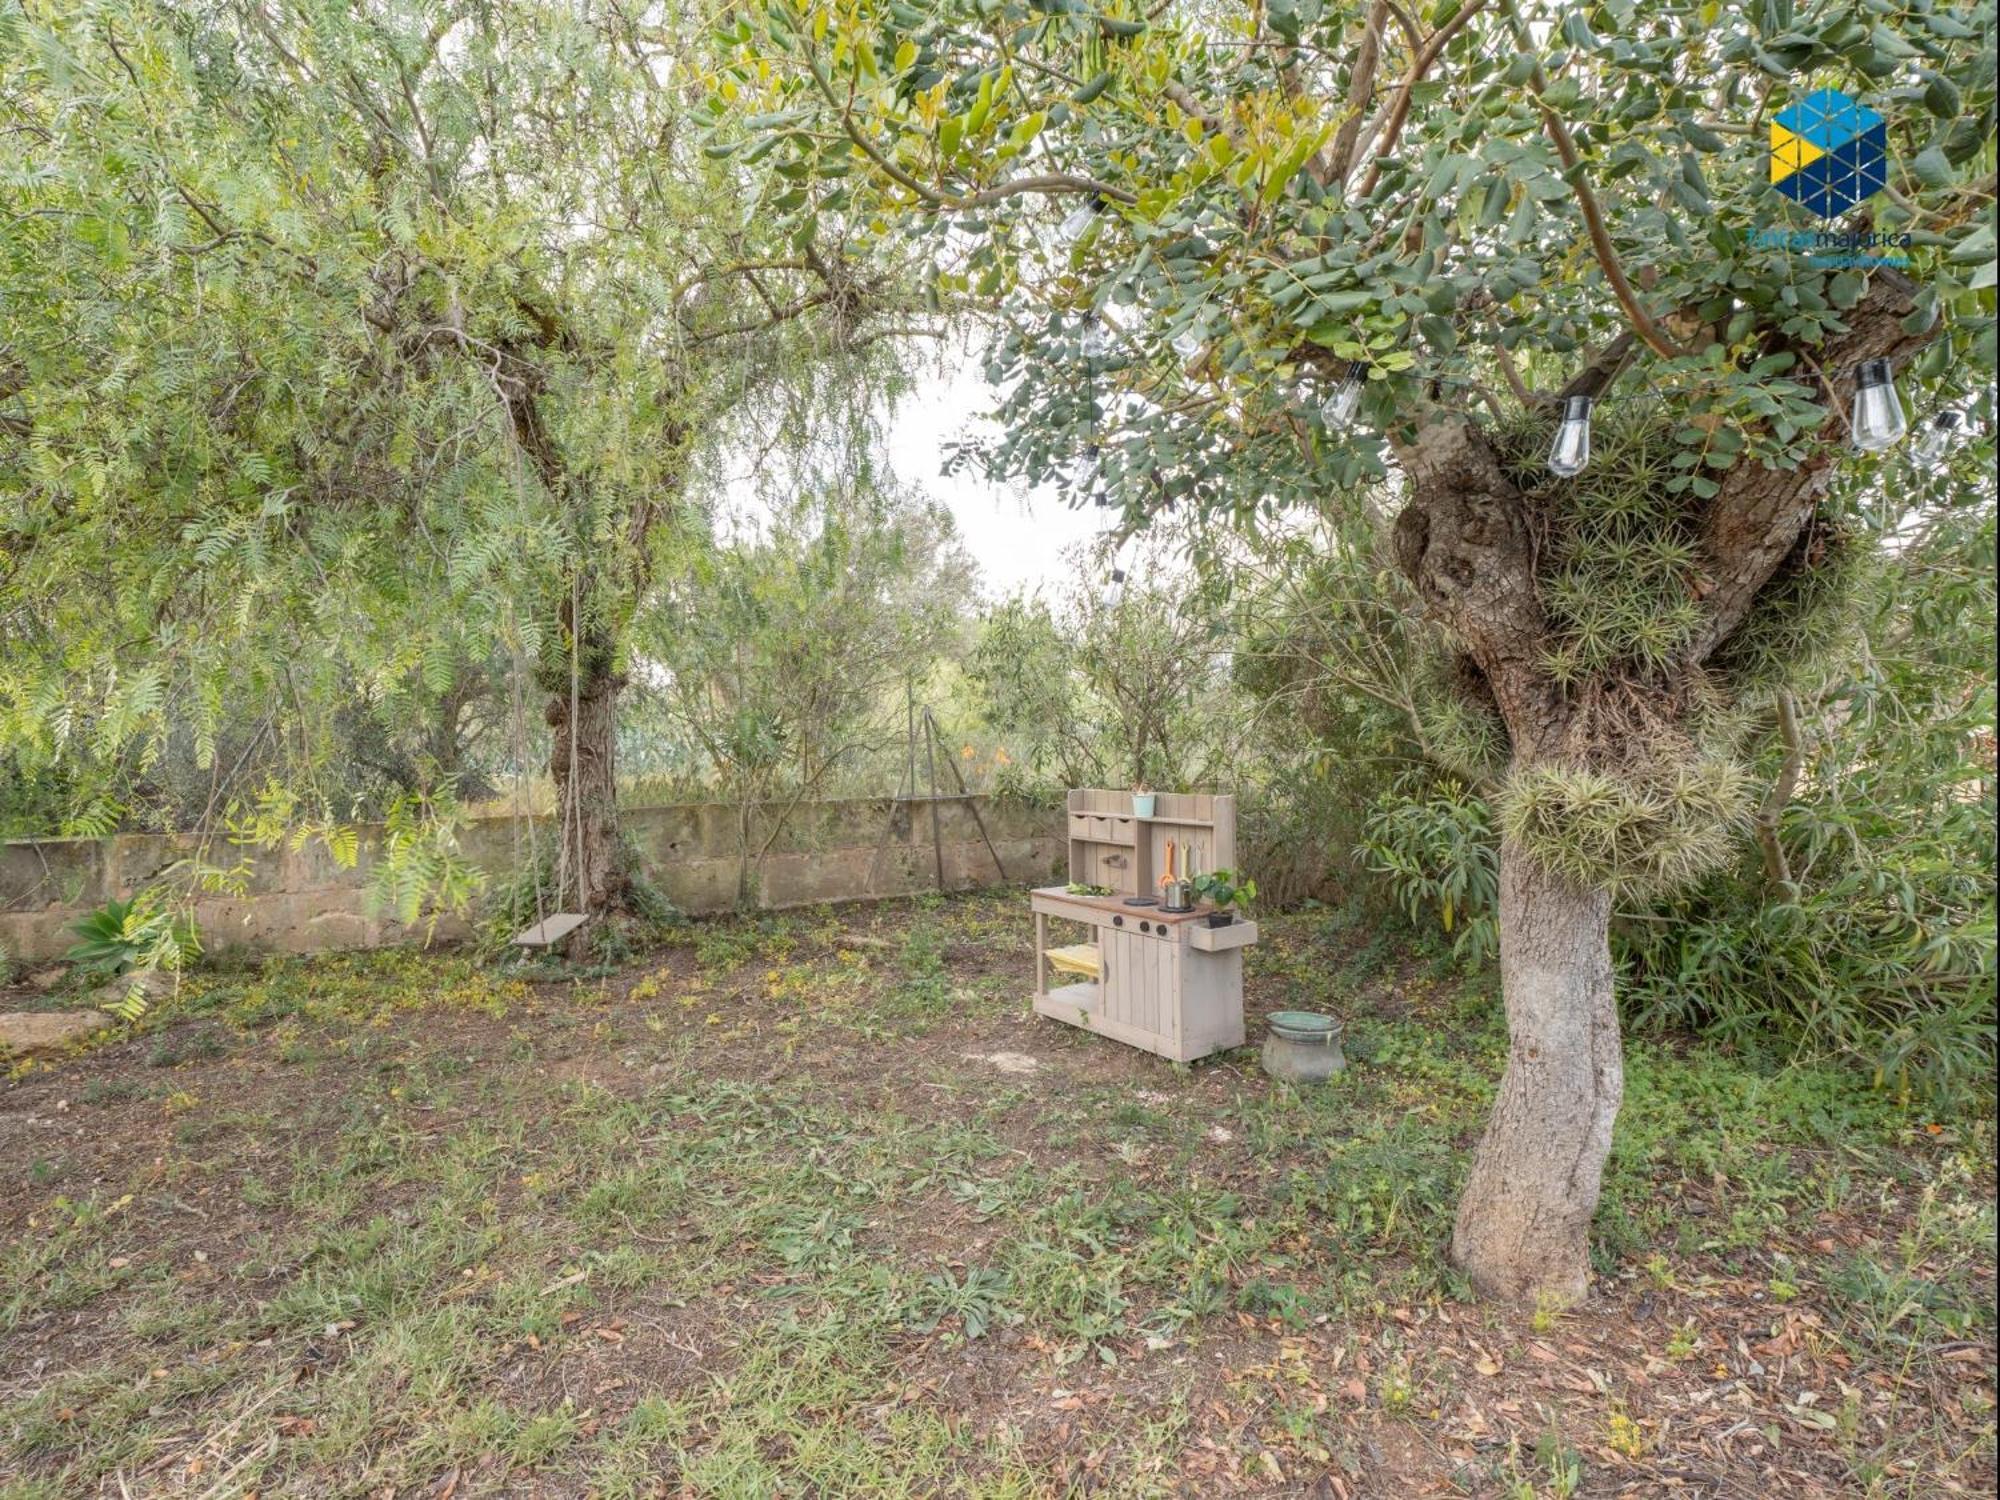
[{"x": 1361, "y": 257}]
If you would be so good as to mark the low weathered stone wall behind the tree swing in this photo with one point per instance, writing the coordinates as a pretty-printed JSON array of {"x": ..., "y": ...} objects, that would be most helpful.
[{"x": 305, "y": 903}]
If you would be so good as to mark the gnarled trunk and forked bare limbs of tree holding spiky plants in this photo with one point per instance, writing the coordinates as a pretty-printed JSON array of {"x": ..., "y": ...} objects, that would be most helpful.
[{"x": 1469, "y": 545}]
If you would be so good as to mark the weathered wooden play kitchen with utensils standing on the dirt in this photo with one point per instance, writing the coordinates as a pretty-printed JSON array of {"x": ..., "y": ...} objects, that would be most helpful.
[{"x": 1151, "y": 975}]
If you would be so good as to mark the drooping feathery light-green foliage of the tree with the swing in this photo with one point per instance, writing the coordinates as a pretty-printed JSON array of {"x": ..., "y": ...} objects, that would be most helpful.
[{"x": 397, "y": 331}]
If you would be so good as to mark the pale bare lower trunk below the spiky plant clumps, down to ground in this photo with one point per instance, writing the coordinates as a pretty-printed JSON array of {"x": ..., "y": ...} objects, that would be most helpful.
[{"x": 1525, "y": 1219}]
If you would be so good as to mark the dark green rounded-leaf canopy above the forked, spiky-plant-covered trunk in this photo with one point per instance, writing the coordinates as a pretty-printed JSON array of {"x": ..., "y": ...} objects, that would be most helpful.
[{"x": 1441, "y": 197}]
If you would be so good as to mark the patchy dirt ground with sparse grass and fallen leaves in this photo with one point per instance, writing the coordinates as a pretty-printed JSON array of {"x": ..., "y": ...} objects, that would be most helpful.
[{"x": 819, "y": 1207}]
